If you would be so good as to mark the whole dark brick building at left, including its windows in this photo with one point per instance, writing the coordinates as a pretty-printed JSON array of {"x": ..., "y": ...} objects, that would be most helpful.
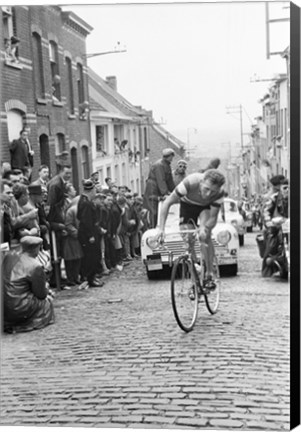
[{"x": 44, "y": 86}]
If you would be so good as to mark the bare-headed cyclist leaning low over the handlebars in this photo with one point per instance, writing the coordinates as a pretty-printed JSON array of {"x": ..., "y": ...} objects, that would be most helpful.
[{"x": 200, "y": 196}]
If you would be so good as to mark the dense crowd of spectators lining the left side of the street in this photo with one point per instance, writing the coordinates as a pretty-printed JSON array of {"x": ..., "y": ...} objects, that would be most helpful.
[{"x": 74, "y": 238}]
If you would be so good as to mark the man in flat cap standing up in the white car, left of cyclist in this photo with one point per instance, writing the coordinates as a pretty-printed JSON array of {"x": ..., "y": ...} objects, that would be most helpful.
[{"x": 159, "y": 184}]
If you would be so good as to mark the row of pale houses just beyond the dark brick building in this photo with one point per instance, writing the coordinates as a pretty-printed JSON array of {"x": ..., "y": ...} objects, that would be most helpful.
[{"x": 124, "y": 138}]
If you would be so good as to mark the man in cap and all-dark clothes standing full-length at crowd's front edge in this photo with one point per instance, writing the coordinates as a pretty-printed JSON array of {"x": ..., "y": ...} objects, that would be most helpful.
[{"x": 88, "y": 235}]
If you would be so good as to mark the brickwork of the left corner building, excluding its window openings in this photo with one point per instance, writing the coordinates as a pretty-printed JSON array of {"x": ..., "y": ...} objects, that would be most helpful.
[{"x": 18, "y": 84}]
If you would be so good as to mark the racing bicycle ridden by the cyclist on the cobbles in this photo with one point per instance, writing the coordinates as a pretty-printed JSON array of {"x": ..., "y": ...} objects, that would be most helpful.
[{"x": 187, "y": 283}]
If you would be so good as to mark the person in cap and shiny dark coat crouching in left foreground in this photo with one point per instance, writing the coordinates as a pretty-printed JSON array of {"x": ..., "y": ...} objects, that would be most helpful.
[{"x": 27, "y": 301}]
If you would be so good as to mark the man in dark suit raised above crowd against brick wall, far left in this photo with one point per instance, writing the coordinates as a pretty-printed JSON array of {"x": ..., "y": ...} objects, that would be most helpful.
[{"x": 21, "y": 154}]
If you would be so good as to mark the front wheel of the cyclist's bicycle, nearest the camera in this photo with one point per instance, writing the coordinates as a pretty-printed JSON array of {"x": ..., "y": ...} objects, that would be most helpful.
[{"x": 184, "y": 293}]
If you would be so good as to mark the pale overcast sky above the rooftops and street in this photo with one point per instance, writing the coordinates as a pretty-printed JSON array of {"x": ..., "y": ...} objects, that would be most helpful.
[{"x": 189, "y": 62}]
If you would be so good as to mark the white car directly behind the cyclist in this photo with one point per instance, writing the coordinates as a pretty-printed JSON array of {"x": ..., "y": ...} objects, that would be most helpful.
[{"x": 158, "y": 259}]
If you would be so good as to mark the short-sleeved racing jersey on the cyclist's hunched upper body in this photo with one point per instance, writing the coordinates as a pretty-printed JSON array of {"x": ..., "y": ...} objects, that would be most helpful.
[{"x": 189, "y": 192}]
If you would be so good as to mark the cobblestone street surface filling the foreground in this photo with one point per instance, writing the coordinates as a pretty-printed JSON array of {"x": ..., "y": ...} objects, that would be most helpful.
[{"x": 116, "y": 358}]
